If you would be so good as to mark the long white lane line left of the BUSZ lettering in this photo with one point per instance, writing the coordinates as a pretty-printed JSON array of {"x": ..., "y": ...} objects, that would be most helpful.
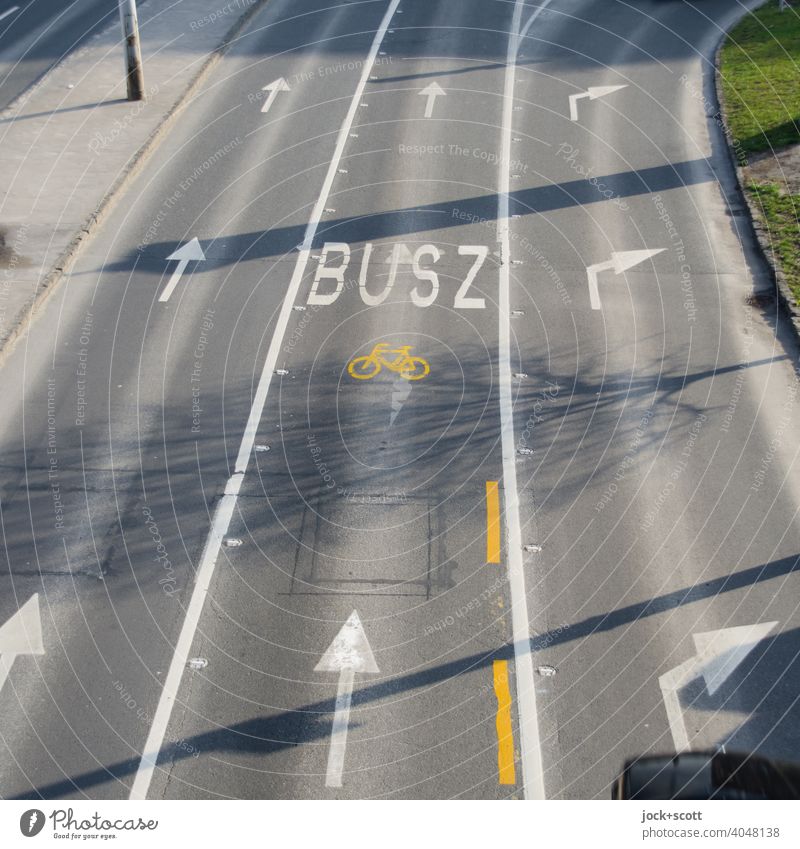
[{"x": 224, "y": 510}]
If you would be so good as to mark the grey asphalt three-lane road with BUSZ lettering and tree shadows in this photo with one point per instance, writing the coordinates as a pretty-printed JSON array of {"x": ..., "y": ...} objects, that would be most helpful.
[{"x": 547, "y": 522}]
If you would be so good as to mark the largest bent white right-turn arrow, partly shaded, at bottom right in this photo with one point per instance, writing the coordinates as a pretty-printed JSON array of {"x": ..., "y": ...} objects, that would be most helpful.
[{"x": 718, "y": 655}]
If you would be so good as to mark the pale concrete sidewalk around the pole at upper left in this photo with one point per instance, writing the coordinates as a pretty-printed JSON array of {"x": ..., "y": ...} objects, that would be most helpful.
[{"x": 69, "y": 145}]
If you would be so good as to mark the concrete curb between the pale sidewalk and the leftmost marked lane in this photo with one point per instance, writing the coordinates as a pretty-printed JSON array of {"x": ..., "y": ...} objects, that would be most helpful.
[{"x": 66, "y": 260}]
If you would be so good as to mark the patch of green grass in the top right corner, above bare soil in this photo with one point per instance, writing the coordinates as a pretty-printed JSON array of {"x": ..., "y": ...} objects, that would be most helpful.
[{"x": 760, "y": 69}]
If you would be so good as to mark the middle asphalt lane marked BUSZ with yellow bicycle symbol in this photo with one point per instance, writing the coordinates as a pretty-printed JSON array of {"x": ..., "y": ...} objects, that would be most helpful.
[{"x": 371, "y": 495}]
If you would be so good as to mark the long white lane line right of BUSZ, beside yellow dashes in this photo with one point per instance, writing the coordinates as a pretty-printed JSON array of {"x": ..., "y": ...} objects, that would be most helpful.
[{"x": 530, "y": 742}]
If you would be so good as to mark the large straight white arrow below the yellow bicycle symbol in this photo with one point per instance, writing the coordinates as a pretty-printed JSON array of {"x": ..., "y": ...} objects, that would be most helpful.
[{"x": 349, "y": 653}]
